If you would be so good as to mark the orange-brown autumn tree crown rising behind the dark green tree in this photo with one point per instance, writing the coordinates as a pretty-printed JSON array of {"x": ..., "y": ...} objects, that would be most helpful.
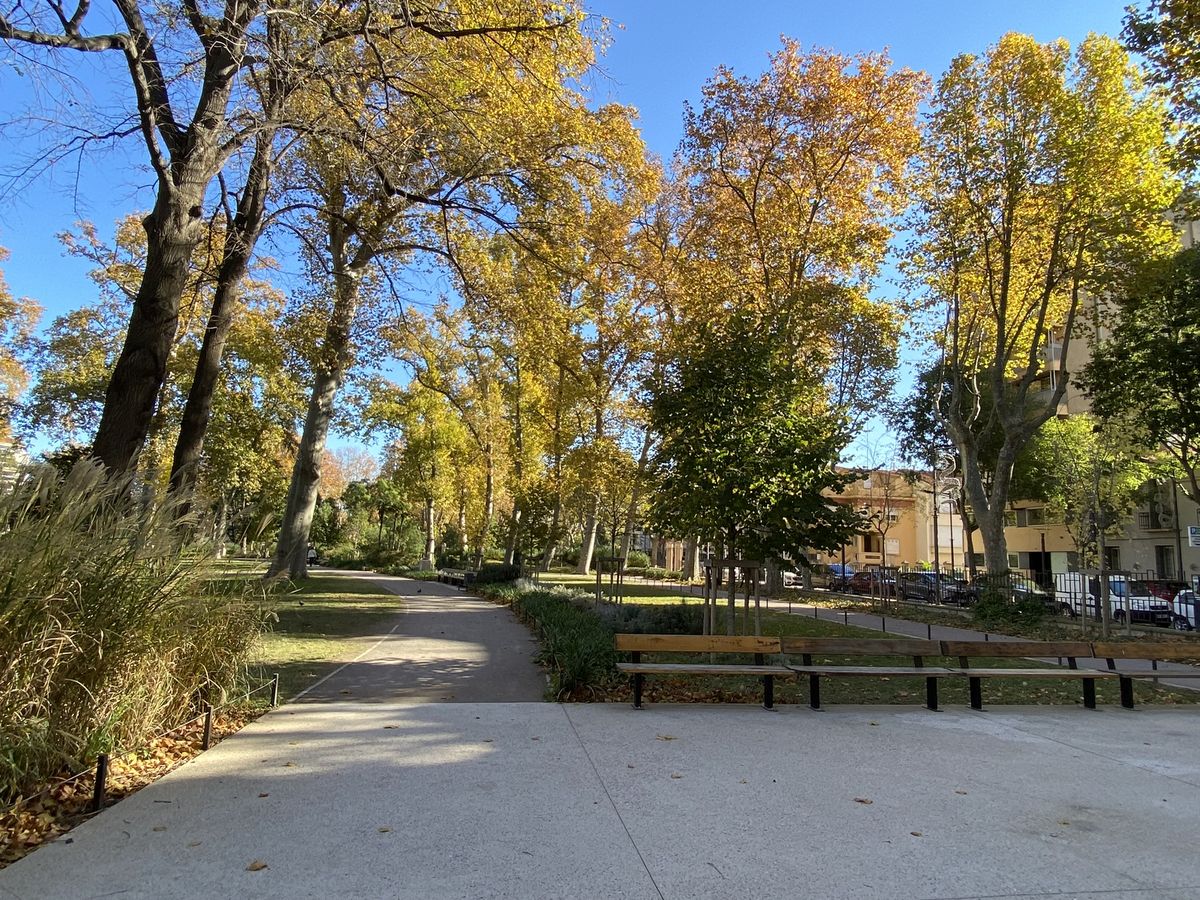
[{"x": 789, "y": 187}]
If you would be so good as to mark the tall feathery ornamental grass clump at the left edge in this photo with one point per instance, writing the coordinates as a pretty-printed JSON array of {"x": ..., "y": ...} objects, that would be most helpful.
[{"x": 111, "y": 628}]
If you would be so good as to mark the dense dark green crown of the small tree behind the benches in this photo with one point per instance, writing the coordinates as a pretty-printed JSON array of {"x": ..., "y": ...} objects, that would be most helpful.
[{"x": 743, "y": 457}]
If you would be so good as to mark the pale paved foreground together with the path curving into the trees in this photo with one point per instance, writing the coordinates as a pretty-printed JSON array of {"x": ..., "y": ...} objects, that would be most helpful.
[{"x": 392, "y": 791}]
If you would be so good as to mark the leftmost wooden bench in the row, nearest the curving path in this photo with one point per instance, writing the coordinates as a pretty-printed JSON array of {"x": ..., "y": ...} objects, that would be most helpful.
[{"x": 638, "y": 645}]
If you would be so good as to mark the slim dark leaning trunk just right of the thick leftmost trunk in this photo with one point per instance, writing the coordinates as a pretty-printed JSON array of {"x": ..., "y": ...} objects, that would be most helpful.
[{"x": 242, "y": 236}]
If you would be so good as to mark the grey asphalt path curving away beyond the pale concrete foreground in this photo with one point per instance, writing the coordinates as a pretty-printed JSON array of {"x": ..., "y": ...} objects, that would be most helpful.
[{"x": 445, "y": 646}]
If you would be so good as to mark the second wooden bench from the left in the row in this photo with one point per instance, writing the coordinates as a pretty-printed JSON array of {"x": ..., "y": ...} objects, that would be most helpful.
[{"x": 915, "y": 650}]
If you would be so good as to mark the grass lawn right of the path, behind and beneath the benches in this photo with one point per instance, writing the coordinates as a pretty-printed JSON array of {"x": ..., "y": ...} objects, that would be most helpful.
[{"x": 953, "y": 692}]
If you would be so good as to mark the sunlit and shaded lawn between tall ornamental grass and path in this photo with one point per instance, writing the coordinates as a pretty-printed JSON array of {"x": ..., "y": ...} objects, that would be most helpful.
[{"x": 323, "y": 622}]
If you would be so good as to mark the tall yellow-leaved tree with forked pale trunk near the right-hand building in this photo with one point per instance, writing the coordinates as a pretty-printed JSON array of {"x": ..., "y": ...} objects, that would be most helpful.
[{"x": 1043, "y": 176}]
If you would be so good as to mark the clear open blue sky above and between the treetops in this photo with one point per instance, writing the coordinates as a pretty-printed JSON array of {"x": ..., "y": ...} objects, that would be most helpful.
[{"x": 663, "y": 51}]
